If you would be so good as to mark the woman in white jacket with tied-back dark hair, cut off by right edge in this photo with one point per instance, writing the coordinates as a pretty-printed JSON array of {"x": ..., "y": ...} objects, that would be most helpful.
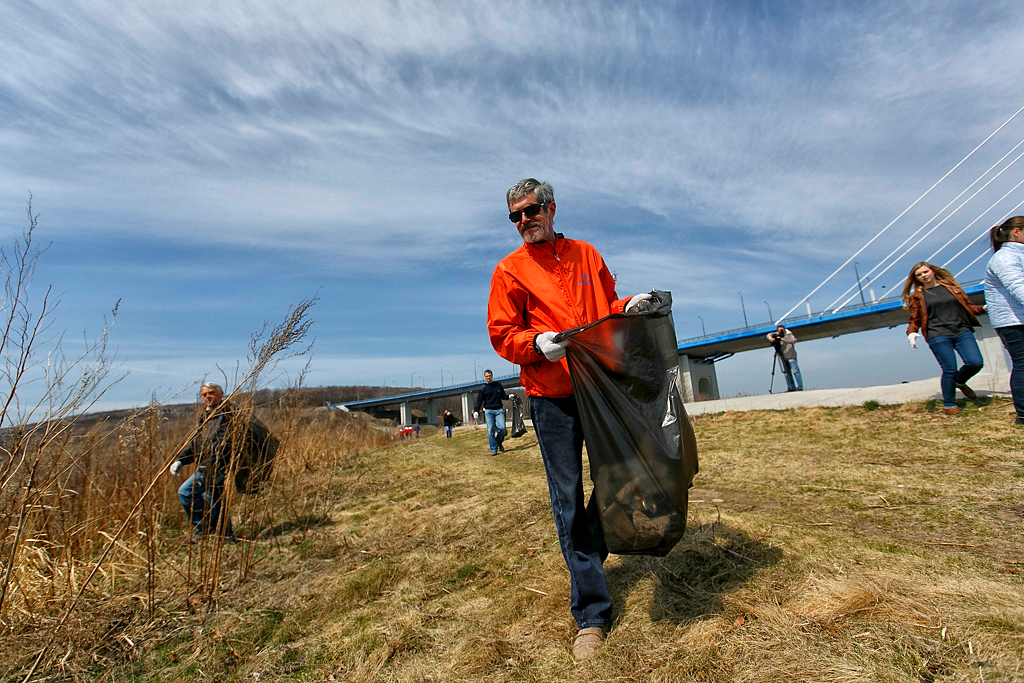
[{"x": 1005, "y": 297}]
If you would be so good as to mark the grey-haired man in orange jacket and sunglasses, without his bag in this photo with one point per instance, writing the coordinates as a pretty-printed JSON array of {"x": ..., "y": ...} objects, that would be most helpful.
[{"x": 548, "y": 285}]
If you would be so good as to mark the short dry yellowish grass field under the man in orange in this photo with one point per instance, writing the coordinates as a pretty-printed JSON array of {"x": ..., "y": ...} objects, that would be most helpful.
[{"x": 824, "y": 545}]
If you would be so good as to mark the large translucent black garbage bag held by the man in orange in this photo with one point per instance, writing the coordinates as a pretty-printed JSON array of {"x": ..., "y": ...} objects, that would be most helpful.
[{"x": 644, "y": 455}]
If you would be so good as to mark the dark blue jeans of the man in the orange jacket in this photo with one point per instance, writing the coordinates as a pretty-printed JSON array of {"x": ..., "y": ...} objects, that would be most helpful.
[{"x": 560, "y": 434}]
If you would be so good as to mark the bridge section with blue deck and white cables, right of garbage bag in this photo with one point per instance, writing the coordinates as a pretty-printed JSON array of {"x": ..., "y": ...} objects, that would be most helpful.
[{"x": 952, "y": 233}]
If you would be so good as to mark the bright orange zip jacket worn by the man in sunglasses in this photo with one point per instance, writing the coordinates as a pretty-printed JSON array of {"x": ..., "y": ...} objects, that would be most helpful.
[{"x": 547, "y": 288}]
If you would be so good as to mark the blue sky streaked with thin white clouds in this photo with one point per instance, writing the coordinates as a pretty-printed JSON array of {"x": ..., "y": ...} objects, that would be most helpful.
[{"x": 209, "y": 165}]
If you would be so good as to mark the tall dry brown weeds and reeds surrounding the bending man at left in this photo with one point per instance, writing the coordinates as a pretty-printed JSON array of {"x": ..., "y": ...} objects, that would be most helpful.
[{"x": 95, "y": 543}]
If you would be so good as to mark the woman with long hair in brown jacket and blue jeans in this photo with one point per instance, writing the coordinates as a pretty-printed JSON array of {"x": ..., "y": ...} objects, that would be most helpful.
[{"x": 946, "y": 317}]
